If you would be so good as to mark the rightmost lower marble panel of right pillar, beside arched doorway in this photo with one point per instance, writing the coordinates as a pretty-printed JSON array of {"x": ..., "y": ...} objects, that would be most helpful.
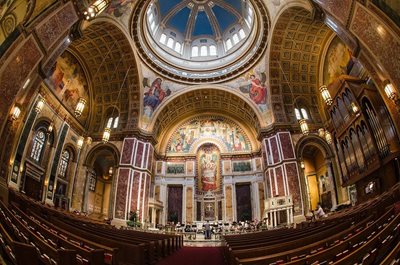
[{"x": 294, "y": 186}]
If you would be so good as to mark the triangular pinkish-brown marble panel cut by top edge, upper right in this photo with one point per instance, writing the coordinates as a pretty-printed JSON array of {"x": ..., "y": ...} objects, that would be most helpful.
[{"x": 339, "y": 9}]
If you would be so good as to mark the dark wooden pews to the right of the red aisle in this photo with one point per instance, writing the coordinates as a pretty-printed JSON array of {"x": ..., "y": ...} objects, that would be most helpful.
[{"x": 368, "y": 233}]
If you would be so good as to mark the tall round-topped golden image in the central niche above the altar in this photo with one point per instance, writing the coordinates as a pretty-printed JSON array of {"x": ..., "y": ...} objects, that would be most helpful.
[{"x": 208, "y": 162}]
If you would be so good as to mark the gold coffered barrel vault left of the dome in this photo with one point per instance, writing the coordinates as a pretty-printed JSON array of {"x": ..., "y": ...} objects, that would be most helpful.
[{"x": 108, "y": 55}]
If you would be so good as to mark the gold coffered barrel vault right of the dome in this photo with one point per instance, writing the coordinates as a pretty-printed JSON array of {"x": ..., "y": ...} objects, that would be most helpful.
[{"x": 297, "y": 43}]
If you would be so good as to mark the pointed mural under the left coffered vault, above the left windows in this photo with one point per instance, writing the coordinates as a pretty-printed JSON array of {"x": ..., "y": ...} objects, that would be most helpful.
[{"x": 69, "y": 82}]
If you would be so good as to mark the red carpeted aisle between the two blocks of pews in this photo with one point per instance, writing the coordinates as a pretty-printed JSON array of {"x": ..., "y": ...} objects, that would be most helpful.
[{"x": 195, "y": 256}]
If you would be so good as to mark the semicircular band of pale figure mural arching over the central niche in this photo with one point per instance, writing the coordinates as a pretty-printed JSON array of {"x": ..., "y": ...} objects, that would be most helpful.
[{"x": 221, "y": 129}]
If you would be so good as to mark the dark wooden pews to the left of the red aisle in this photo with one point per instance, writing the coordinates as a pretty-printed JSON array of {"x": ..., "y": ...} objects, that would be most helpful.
[{"x": 32, "y": 233}]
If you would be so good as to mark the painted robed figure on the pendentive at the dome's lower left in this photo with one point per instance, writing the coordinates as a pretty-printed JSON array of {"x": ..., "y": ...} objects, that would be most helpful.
[{"x": 153, "y": 95}]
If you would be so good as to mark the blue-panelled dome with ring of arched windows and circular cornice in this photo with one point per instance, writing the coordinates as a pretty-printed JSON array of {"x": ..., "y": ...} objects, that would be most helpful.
[{"x": 200, "y": 40}]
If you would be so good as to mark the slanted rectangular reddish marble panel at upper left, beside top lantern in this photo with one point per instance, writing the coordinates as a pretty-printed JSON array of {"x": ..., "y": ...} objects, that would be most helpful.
[{"x": 56, "y": 26}]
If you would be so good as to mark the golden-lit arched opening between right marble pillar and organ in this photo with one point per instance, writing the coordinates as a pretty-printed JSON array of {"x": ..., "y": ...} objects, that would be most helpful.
[{"x": 318, "y": 172}]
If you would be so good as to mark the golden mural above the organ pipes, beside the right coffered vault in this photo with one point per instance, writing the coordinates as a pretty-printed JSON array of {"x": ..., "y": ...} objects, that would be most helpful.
[{"x": 338, "y": 61}]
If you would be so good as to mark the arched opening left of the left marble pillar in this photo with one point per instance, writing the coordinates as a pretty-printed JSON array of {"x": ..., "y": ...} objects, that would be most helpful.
[{"x": 102, "y": 163}]
